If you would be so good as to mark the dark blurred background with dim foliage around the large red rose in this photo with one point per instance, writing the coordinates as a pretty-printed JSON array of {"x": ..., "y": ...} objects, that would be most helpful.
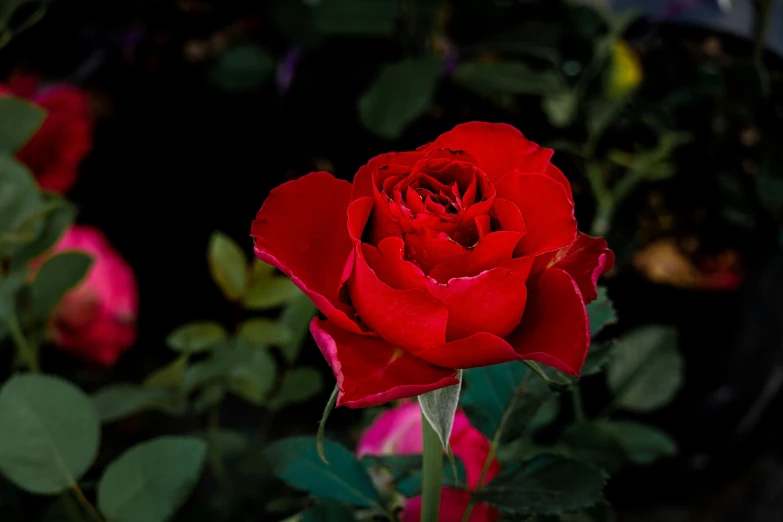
[{"x": 203, "y": 106}]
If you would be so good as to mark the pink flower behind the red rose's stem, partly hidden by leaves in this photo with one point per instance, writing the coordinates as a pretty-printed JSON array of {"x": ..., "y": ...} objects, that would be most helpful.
[{"x": 398, "y": 432}]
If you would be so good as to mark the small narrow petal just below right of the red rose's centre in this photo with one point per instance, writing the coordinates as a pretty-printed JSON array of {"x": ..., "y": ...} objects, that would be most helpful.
[{"x": 489, "y": 252}]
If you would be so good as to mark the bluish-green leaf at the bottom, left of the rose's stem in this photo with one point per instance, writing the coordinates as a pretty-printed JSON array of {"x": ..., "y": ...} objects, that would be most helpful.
[{"x": 295, "y": 461}]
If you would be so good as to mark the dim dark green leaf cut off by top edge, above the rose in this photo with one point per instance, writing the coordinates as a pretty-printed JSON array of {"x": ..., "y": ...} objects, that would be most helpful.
[{"x": 355, "y": 17}]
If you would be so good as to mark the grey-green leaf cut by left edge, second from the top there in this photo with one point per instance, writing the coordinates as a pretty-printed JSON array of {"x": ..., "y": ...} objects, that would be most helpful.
[{"x": 19, "y": 200}]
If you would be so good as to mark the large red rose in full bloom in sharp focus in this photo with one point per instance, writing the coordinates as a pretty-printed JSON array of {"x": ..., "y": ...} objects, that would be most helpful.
[{"x": 462, "y": 253}]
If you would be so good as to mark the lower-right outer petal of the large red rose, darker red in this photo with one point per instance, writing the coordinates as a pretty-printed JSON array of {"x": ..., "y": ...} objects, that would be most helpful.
[{"x": 555, "y": 329}]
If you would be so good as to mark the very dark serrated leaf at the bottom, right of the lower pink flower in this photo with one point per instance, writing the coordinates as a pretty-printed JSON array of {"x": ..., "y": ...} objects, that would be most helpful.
[{"x": 547, "y": 485}]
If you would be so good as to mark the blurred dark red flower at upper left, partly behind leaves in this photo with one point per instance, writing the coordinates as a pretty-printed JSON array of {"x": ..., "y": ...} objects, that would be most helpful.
[{"x": 55, "y": 151}]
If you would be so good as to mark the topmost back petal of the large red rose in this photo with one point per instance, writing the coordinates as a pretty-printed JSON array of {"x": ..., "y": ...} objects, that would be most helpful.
[{"x": 501, "y": 148}]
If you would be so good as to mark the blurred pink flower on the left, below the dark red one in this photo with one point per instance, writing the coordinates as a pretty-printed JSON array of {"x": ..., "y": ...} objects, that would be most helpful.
[{"x": 96, "y": 321}]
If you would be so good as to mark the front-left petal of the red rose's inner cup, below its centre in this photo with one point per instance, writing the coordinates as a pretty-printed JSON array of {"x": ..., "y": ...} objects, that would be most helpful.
[{"x": 406, "y": 318}]
